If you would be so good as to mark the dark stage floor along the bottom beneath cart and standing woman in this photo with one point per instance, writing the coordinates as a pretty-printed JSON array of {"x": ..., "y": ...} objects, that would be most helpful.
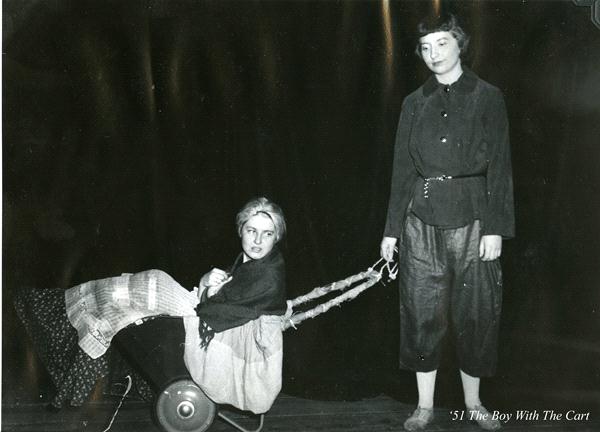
[{"x": 381, "y": 413}]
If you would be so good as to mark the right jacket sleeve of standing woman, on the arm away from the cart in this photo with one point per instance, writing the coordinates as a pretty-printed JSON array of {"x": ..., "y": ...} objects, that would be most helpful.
[{"x": 499, "y": 217}]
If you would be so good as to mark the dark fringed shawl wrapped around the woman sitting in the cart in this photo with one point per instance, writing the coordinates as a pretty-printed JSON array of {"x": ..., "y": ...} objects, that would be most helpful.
[{"x": 257, "y": 288}]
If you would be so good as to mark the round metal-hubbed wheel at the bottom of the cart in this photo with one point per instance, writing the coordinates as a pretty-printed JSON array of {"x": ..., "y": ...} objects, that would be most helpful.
[{"x": 182, "y": 407}]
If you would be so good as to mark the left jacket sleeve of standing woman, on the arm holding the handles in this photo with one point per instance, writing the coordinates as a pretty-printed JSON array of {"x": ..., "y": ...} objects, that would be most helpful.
[{"x": 404, "y": 173}]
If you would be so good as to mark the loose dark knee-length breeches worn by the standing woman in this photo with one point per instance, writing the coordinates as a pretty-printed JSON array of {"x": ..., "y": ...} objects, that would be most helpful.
[{"x": 444, "y": 284}]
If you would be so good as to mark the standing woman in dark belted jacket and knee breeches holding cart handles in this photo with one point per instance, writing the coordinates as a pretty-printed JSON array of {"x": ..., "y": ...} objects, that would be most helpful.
[{"x": 451, "y": 204}]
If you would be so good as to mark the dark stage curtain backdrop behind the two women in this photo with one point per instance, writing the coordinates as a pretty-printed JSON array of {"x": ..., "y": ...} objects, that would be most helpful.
[{"x": 133, "y": 131}]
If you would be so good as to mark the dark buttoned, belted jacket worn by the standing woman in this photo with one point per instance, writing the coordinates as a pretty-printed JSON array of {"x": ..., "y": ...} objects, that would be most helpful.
[{"x": 456, "y": 130}]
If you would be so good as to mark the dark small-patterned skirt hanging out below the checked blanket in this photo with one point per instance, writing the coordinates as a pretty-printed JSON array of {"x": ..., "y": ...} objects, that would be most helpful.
[{"x": 73, "y": 372}]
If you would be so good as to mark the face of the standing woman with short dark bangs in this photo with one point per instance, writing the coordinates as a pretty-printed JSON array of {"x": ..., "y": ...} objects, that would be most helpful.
[{"x": 441, "y": 53}]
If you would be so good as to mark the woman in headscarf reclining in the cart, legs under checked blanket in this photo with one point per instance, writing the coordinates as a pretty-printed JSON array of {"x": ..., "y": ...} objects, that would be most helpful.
[{"x": 72, "y": 329}]
